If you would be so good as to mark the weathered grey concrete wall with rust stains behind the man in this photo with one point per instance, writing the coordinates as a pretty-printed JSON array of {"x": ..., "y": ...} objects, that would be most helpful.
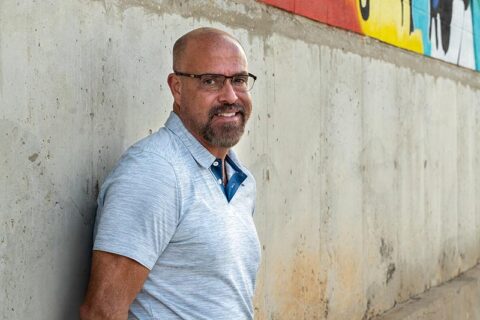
[{"x": 366, "y": 156}]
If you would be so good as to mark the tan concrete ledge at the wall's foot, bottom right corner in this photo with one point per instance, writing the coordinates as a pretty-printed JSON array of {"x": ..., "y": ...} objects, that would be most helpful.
[{"x": 457, "y": 299}]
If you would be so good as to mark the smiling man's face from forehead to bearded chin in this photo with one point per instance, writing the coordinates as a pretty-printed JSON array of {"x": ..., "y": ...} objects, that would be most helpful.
[{"x": 216, "y": 118}]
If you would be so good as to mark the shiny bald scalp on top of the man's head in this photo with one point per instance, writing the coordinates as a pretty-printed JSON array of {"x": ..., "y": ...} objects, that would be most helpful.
[{"x": 198, "y": 40}]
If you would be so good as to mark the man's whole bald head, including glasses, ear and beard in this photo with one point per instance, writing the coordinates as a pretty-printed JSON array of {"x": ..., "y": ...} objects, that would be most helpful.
[{"x": 214, "y": 112}]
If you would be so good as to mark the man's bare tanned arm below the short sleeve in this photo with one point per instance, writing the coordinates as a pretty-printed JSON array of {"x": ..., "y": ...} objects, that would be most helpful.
[{"x": 114, "y": 282}]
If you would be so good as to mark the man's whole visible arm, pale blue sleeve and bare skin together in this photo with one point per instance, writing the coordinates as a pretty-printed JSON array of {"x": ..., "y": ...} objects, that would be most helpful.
[{"x": 136, "y": 219}]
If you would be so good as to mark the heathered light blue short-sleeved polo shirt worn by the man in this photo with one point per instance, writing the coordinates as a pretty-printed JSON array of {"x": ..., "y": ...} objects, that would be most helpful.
[{"x": 163, "y": 207}]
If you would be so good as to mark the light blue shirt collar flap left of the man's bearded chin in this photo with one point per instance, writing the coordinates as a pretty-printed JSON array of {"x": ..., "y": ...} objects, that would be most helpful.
[{"x": 199, "y": 152}]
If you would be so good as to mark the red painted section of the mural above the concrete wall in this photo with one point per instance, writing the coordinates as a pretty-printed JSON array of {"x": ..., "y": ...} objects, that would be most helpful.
[{"x": 338, "y": 13}]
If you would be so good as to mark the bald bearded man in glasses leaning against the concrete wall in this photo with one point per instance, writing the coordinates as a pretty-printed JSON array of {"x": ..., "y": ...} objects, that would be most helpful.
[{"x": 174, "y": 236}]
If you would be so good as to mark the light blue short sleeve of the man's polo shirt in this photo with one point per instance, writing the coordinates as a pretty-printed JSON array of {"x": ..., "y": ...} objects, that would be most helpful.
[{"x": 137, "y": 208}]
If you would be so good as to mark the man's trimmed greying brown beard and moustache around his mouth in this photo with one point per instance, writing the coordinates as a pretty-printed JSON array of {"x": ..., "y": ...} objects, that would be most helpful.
[{"x": 228, "y": 134}]
